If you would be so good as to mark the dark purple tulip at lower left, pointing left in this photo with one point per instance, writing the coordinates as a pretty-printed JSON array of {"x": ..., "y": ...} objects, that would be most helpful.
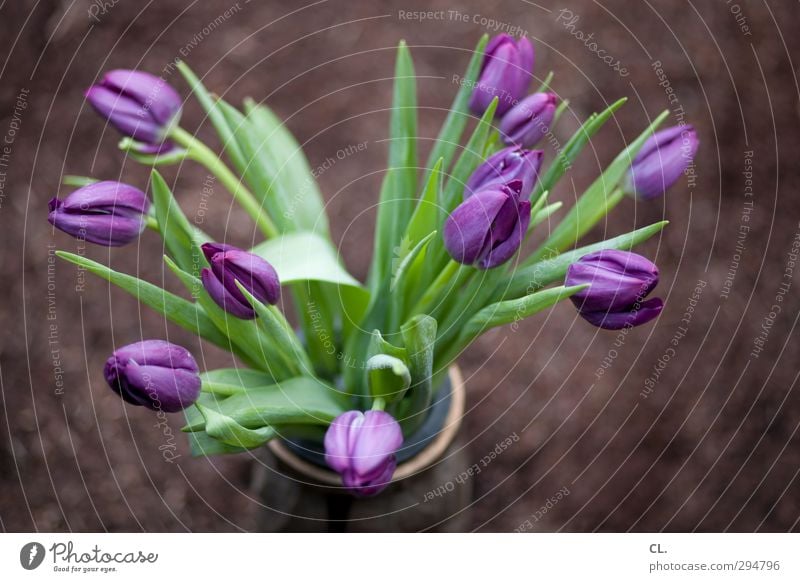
[{"x": 154, "y": 373}]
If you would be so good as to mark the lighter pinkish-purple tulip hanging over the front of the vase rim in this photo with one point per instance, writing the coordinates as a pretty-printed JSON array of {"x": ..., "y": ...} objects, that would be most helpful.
[{"x": 361, "y": 447}]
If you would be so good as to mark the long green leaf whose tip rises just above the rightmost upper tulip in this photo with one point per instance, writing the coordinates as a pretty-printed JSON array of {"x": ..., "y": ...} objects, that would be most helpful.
[{"x": 601, "y": 196}]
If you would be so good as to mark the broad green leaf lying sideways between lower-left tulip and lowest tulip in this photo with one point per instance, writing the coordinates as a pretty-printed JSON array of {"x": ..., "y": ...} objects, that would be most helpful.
[{"x": 302, "y": 400}]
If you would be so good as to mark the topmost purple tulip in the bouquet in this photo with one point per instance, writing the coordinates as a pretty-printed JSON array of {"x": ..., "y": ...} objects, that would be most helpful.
[{"x": 505, "y": 74}]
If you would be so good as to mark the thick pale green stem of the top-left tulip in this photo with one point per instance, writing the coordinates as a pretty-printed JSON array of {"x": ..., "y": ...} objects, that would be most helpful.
[{"x": 202, "y": 154}]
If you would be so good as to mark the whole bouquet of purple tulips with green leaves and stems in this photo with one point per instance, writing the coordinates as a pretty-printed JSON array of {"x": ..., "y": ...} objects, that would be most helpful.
[{"x": 361, "y": 367}]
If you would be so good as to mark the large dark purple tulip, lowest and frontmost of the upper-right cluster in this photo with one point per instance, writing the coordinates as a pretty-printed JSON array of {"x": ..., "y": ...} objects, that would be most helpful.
[{"x": 488, "y": 227}]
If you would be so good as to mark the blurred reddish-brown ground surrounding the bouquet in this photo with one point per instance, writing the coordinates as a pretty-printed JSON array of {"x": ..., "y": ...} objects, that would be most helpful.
[{"x": 713, "y": 447}]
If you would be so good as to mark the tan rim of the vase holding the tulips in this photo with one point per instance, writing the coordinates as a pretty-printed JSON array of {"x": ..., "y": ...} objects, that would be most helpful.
[{"x": 422, "y": 460}]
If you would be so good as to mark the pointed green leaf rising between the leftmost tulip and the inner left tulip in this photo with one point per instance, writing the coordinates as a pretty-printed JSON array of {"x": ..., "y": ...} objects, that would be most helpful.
[{"x": 180, "y": 237}]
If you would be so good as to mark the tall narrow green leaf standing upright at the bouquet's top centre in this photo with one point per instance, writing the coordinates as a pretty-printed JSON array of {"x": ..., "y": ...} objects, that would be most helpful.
[{"x": 400, "y": 182}]
